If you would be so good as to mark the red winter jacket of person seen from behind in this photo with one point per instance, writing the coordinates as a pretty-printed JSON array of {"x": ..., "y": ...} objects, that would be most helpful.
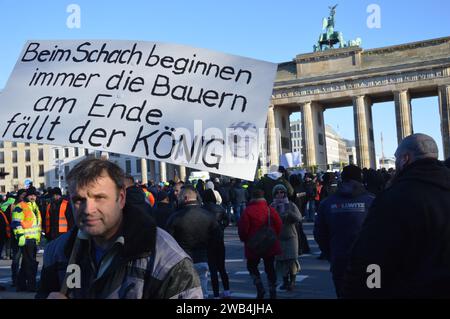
[{"x": 255, "y": 216}]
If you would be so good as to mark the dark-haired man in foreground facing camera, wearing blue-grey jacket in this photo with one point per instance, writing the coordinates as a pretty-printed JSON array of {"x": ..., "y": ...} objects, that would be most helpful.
[{"x": 119, "y": 251}]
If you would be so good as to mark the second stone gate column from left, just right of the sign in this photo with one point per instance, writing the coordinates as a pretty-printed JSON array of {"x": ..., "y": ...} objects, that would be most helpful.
[{"x": 309, "y": 148}]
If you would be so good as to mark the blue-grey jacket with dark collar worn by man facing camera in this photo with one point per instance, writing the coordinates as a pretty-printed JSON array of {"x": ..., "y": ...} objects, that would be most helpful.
[{"x": 145, "y": 262}]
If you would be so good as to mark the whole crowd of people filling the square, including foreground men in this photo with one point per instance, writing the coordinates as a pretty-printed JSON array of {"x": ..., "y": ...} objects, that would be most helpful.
[{"x": 396, "y": 219}]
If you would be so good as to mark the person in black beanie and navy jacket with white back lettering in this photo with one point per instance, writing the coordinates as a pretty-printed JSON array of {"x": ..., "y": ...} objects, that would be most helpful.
[{"x": 339, "y": 220}]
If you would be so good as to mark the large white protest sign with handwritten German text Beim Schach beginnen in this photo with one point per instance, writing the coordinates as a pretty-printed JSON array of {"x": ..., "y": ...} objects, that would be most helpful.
[{"x": 166, "y": 102}]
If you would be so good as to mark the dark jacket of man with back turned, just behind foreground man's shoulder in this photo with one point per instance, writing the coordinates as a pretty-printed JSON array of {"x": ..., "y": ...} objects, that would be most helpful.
[{"x": 194, "y": 228}]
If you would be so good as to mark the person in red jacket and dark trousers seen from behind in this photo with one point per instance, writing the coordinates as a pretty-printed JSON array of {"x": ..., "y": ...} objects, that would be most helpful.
[{"x": 255, "y": 216}]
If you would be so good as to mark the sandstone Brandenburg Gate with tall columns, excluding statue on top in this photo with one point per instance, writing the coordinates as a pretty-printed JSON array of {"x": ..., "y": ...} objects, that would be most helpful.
[{"x": 351, "y": 76}]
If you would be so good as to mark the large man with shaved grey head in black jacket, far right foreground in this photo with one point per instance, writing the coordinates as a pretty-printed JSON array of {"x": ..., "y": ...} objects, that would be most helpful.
[{"x": 403, "y": 249}]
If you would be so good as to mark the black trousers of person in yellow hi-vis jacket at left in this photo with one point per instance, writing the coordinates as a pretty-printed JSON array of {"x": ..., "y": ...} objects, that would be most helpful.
[{"x": 28, "y": 268}]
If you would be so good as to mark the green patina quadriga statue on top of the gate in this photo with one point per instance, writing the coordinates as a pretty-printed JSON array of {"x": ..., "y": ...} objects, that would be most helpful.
[{"x": 330, "y": 38}]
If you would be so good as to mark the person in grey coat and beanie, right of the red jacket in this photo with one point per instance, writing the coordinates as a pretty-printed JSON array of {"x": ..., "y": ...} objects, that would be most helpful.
[{"x": 287, "y": 265}]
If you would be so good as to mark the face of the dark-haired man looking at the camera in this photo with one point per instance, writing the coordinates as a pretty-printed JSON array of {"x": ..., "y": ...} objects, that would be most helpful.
[{"x": 98, "y": 207}]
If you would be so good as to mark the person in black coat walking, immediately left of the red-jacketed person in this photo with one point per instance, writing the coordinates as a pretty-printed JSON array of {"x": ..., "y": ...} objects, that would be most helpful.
[{"x": 216, "y": 253}]
